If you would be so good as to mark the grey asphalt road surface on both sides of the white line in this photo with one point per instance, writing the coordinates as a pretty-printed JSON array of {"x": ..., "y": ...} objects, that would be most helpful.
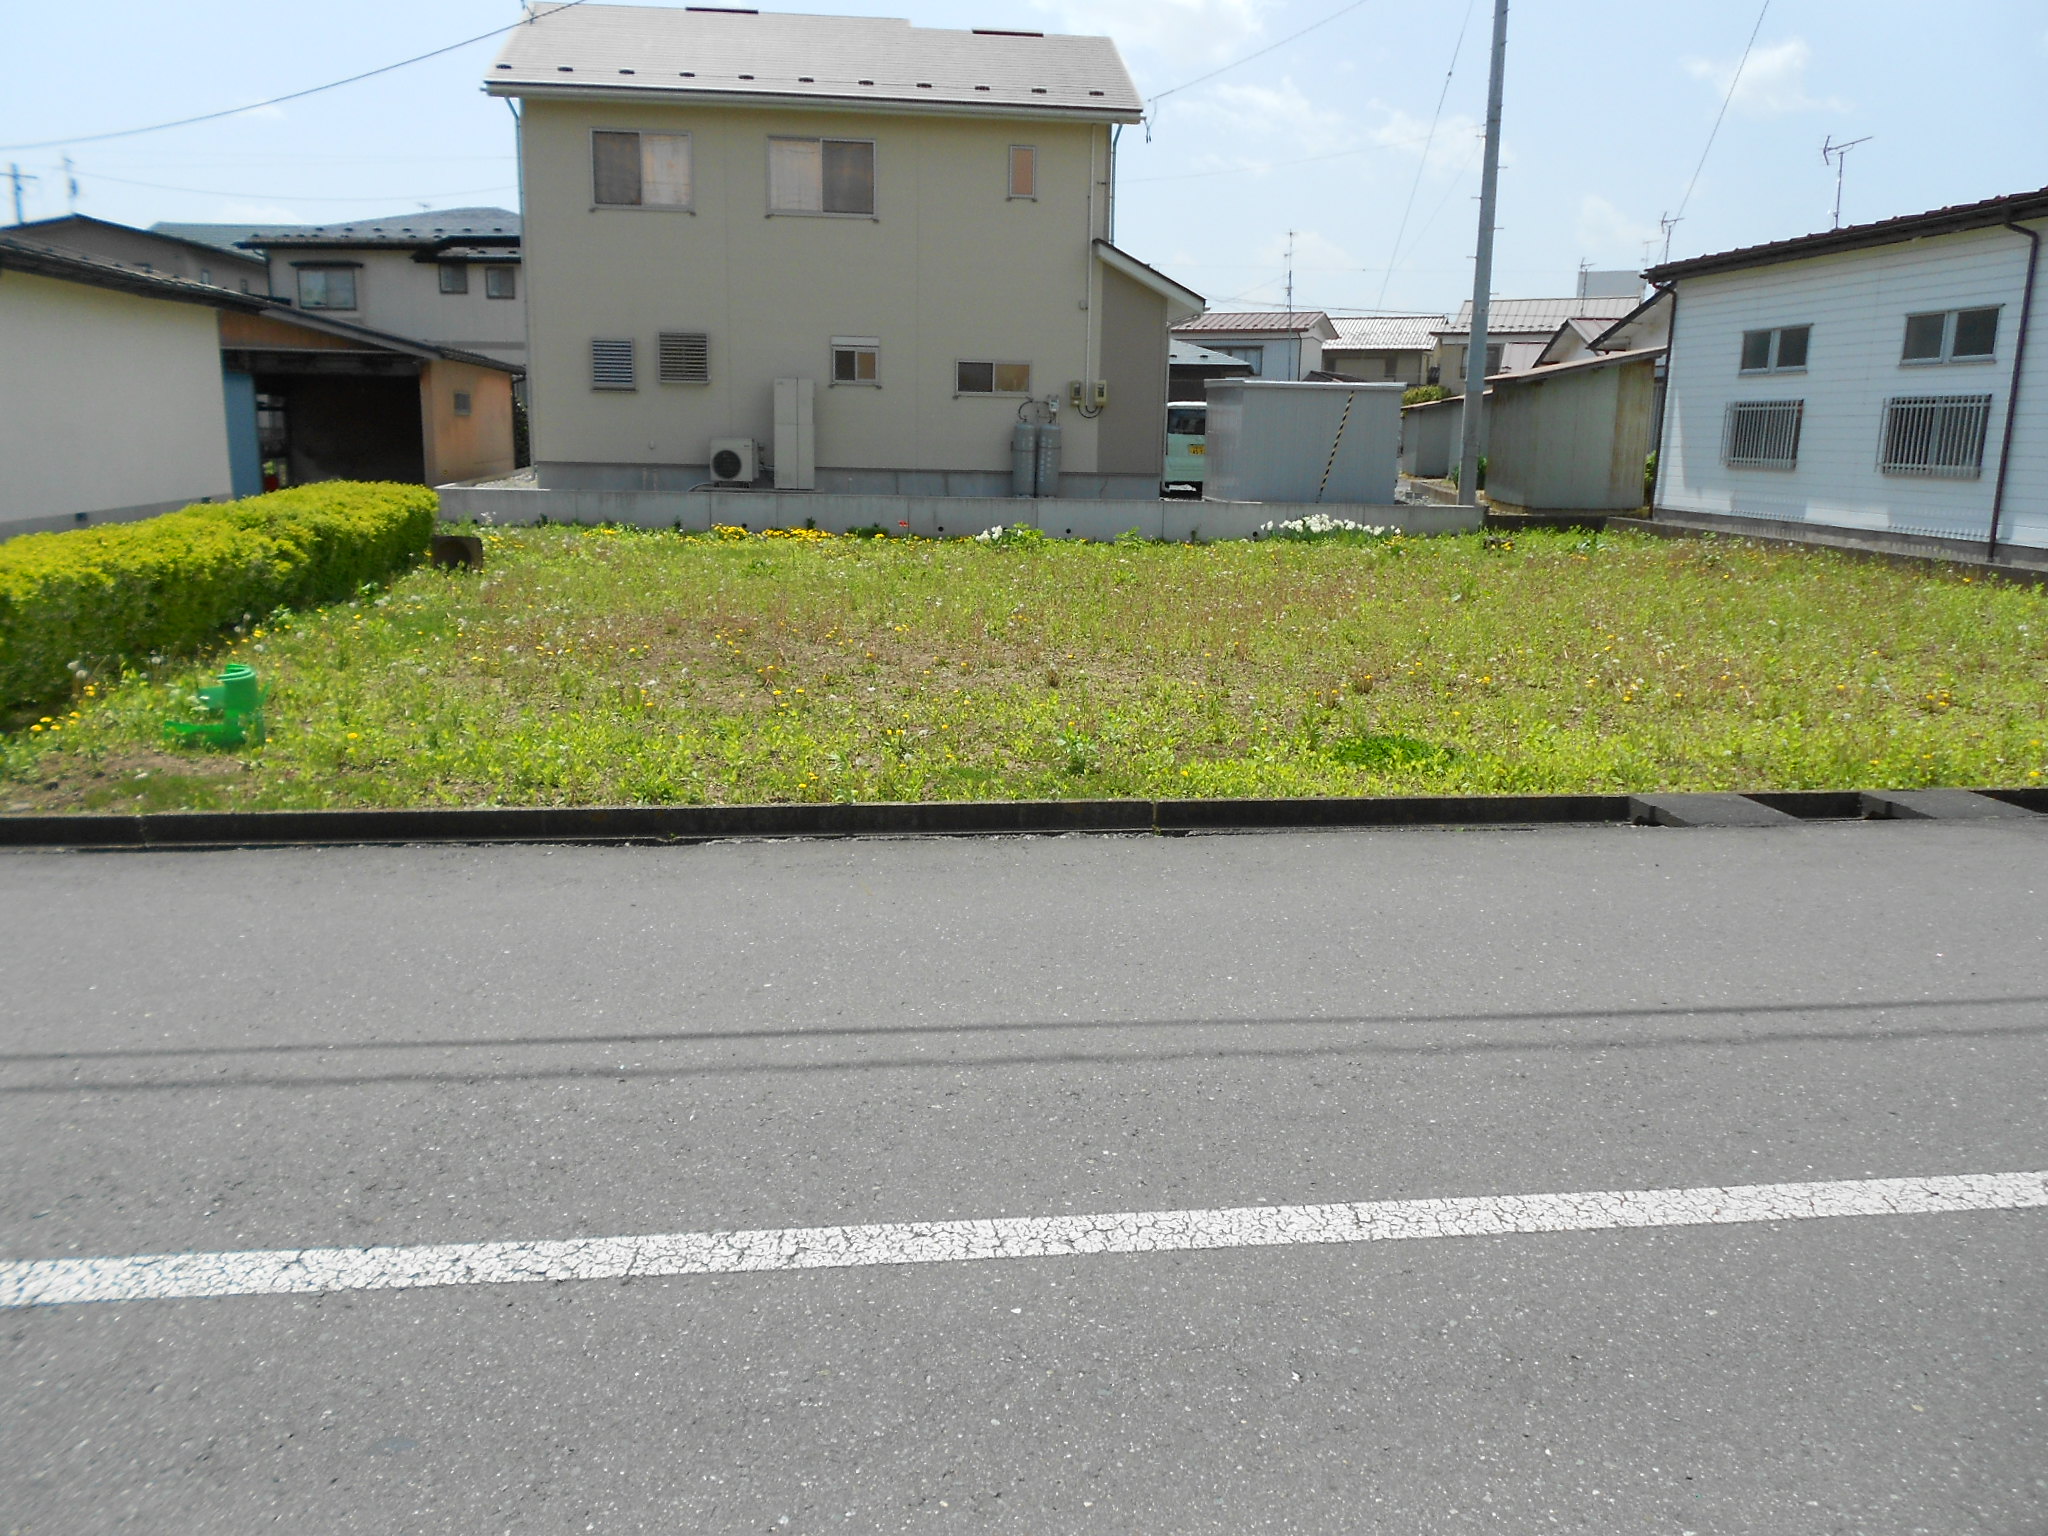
[{"x": 445, "y": 1046}]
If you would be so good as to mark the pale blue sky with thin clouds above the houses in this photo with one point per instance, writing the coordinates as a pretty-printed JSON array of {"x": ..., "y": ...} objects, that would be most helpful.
[{"x": 1609, "y": 110}]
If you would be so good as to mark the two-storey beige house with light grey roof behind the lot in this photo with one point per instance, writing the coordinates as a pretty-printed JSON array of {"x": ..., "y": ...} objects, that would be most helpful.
[{"x": 855, "y": 249}]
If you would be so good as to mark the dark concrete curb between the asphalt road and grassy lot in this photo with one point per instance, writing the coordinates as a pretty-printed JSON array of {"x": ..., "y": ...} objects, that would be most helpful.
[{"x": 683, "y": 824}]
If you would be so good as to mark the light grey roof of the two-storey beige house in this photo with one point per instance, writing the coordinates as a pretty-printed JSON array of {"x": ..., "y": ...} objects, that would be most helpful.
[{"x": 638, "y": 52}]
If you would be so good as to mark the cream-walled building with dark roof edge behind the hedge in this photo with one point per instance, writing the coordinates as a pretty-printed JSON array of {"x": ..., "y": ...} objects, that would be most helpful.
[{"x": 112, "y": 392}]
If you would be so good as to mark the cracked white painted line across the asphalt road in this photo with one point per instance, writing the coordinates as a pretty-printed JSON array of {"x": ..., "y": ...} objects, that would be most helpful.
[{"x": 54, "y": 1283}]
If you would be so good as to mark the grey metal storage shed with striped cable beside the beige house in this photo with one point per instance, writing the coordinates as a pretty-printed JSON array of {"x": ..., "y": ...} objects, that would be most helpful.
[{"x": 1279, "y": 441}]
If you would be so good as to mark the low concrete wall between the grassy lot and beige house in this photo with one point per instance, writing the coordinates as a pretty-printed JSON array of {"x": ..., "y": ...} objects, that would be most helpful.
[{"x": 927, "y": 517}]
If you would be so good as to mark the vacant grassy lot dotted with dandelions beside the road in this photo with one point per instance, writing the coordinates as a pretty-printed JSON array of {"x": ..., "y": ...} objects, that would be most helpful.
[{"x": 601, "y": 667}]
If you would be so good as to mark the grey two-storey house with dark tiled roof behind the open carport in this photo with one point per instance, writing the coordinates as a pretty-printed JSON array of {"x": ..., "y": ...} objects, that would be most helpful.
[{"x": 447, "y": 280}]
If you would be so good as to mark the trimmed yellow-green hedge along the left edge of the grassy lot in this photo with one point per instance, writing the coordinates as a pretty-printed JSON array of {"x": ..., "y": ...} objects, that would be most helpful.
[{"x": 97, "y": 597}]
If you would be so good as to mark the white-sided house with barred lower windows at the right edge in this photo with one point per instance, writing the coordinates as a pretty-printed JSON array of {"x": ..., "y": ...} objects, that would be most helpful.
[{"x": 1873, "y": 378}]
